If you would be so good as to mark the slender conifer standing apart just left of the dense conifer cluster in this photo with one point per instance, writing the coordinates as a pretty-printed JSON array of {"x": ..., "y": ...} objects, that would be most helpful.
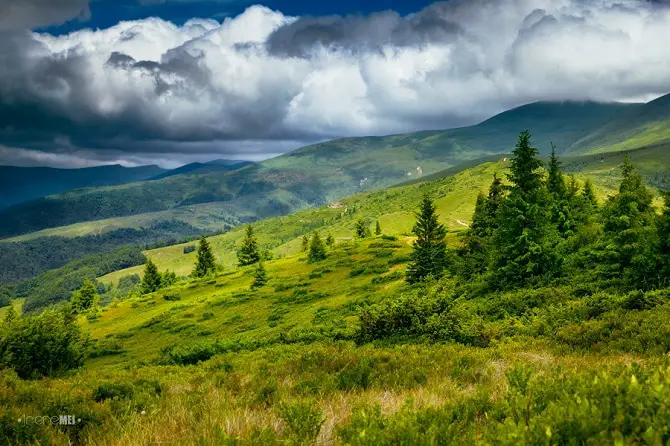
[{"x": 429, "y": 257}]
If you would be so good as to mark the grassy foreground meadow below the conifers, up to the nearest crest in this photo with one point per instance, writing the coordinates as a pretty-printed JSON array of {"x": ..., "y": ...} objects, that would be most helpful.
[{"x": 211, "y": 362}]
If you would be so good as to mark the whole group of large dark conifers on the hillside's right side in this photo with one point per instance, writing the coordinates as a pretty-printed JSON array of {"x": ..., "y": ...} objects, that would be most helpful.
[{"x": 540, "y": 226}]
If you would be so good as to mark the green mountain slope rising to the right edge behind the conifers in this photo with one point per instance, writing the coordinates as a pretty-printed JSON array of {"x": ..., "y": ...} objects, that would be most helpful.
[{"x": 642, "y": 125}]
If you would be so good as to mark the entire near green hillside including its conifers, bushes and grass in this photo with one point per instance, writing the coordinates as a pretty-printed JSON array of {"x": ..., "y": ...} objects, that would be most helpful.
[{"x": 548, "y": 311}]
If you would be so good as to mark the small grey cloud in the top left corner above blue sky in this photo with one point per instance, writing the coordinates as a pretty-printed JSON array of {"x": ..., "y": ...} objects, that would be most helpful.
[{"x": 28, "y": 14}]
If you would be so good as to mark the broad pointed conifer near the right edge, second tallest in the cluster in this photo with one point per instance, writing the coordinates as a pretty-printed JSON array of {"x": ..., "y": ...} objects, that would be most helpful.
[{"x": 628, "y": 221}]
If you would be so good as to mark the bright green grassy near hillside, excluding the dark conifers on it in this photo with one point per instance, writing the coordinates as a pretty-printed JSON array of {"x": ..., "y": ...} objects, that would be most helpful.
[{"x": 345, "y": 351}]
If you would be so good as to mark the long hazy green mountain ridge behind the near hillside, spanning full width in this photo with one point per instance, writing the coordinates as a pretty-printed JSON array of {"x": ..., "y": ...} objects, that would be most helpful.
[{"x": 320, "y": 173}]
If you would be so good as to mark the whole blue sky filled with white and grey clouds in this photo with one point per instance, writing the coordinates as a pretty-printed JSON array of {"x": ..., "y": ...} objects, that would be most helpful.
[{"x": 169, "y": 82}]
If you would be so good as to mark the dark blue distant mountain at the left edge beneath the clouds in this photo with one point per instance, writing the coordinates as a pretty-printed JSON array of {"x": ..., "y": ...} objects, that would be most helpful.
[{"x": 19, "y": 184}]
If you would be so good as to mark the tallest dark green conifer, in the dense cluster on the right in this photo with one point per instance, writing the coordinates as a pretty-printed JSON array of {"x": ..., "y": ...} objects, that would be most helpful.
[{"x": 523, "y": 244}]
